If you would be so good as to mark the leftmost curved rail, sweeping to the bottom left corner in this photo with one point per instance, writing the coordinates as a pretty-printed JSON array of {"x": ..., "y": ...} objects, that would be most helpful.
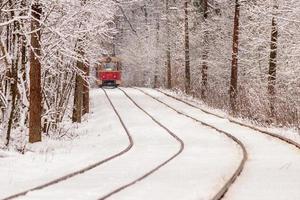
[{"x": 68, "y": 176}]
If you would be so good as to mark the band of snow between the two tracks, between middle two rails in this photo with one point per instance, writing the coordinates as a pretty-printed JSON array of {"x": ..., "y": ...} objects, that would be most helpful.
[{"x": 199, "y": 172}]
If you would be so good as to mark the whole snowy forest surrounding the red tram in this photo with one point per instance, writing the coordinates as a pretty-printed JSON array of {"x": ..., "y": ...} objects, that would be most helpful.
[{"x": 238, "y": 56}]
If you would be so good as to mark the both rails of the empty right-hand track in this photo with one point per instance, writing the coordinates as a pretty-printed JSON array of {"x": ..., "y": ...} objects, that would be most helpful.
[{"x": 229, "y": 183}]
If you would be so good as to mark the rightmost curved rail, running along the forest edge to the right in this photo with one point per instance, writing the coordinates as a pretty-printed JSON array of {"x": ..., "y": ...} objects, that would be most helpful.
[{"x": 287, "y": 140}]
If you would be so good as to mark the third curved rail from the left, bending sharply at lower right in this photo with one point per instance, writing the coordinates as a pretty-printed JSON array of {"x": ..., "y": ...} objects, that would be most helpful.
[{"x": 220, "y": 194}]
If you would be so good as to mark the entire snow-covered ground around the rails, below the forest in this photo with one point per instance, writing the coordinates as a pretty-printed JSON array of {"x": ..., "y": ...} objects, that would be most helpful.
[{"x": 207, "y": 161}]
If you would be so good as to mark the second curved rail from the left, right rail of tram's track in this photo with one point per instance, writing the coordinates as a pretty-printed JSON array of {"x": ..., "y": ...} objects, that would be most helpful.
[{"x": 156, "y": 168}]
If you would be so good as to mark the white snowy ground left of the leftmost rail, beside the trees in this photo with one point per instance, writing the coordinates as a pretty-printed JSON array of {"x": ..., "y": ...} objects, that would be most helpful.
[{"x": 52, "y": 159}]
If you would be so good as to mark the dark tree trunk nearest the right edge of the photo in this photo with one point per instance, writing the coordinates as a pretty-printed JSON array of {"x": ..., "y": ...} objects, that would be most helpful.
[{"x": 273, "y": 66}]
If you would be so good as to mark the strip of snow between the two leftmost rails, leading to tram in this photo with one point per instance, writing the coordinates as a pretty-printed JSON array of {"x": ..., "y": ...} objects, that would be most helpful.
[{"x": 152, "y": 146}]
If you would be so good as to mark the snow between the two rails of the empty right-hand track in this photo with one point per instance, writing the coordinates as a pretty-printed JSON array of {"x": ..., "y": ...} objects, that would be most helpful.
[{"x": 272, "y": 171}]
